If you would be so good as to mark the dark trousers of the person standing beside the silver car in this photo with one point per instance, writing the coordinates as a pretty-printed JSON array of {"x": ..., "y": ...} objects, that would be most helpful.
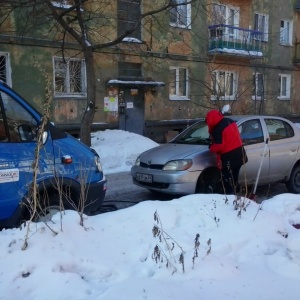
[{"x": 230, "y": 177}]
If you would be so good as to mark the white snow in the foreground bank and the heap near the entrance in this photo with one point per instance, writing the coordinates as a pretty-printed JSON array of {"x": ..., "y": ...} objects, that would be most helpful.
[{"x": 218, "y": 250}]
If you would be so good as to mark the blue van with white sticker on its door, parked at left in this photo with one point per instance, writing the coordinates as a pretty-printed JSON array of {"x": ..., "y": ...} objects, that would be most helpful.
[{"x": 69, "y": 174}]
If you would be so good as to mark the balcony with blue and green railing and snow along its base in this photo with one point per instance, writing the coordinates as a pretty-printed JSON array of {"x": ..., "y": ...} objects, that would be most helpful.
[{"x": 231, "y": 40}]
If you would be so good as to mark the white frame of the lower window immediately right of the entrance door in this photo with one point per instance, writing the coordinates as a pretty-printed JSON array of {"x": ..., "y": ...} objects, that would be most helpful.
[{"x": 176, "y": 85}]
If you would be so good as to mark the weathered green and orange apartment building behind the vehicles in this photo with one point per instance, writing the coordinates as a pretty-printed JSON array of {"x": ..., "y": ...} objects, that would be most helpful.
[{"x": 168, "y": 71}]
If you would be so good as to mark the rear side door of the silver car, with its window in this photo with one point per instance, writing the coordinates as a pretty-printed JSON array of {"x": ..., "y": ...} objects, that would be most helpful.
[{"x": 283, "y": 147}]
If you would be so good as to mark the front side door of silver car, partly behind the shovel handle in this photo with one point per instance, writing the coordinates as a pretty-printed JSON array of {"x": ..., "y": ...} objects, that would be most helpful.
[{"x": 253, "y": 137}]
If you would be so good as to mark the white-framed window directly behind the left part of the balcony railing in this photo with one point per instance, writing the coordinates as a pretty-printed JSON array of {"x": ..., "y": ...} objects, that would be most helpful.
[{"x": 224, "y": 15}]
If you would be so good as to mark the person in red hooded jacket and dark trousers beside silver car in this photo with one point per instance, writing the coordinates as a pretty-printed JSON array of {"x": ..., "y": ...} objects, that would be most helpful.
[{"x": 227, "y": 144}]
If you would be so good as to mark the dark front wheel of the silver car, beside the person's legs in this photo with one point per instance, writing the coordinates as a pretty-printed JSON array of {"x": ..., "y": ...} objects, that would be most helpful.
[{"x": 209, "y": 182}]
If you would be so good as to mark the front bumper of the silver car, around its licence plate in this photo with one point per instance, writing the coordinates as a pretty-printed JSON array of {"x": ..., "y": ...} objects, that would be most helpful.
[{"x": 169, "y": 182}]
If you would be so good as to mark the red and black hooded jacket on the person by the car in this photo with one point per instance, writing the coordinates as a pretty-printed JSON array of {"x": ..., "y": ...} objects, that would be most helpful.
[{"x": 226, "y": 140}]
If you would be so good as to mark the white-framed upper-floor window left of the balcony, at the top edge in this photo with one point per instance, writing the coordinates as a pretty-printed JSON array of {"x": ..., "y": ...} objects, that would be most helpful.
[{"x": 180, "y": 16}]
